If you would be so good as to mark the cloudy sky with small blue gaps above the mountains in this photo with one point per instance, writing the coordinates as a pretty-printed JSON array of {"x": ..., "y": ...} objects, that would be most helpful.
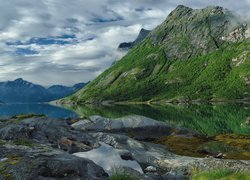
[{"x": 66, "y": 42}]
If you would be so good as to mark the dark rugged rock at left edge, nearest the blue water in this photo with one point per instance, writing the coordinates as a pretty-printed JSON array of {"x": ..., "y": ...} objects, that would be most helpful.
[{"x": 42, "y": 130}]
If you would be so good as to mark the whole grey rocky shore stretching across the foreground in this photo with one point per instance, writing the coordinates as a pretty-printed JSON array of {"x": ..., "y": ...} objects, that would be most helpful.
[{"x": 45, "y": 148}]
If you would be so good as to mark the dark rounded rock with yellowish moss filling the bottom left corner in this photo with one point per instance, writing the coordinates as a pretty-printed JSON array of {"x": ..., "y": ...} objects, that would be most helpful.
[{"x": 26, "y": 163}]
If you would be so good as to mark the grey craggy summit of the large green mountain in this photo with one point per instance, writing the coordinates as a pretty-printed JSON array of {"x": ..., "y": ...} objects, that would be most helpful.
[{"x": 190, "y": 32}]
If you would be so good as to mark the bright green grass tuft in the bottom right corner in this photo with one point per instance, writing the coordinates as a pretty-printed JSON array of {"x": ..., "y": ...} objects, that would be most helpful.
[{"x": 222, "y": 174}]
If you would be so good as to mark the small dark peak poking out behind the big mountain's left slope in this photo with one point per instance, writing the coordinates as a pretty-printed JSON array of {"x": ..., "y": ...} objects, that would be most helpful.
[{"x": 128, "y": 45}]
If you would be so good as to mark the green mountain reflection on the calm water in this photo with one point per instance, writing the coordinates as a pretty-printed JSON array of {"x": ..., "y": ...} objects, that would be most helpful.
[{"x": 207, "y": 119}]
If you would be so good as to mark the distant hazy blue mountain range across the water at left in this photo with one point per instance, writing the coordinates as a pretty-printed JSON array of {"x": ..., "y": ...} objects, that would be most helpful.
[{"x": 22, "y": 91}]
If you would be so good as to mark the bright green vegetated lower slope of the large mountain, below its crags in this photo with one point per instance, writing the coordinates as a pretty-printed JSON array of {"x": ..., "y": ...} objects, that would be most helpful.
[{"x": 145, "y": 74}]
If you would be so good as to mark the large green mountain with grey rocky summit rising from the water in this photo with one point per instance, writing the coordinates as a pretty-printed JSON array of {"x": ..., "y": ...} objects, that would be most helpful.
[{"x": 194, "y": 55}]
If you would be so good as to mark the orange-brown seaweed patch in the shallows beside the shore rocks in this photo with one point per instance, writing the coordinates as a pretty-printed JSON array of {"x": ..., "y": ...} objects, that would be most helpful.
[{"x": 202, "y": 147}]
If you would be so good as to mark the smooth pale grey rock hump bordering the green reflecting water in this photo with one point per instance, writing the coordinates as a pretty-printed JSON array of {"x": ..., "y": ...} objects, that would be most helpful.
[{"x": 139, "y": 127}]
